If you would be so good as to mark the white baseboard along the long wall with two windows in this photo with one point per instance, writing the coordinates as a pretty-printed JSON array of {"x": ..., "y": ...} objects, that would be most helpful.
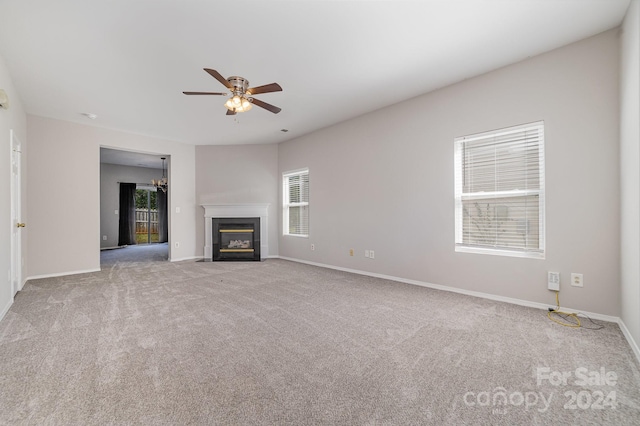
[{"x": 527, "y": 303}]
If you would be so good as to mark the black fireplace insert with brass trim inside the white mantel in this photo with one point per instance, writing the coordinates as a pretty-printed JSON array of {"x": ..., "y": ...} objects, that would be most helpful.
[{"x": 236, "y": 238}]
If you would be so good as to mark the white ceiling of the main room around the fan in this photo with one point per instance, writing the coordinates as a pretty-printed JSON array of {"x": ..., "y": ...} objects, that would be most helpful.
[{"x": 128, "y": 61}]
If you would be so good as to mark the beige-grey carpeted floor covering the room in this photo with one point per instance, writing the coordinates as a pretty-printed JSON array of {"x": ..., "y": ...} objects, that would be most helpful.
[{"x": 148, "y": 341}]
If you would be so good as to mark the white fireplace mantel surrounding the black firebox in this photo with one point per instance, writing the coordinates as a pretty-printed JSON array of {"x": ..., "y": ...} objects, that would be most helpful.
[{"x": 235, "y": 210}]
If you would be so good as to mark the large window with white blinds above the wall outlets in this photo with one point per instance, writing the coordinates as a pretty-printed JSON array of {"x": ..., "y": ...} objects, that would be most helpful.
[{"x": 499, "y": 192}]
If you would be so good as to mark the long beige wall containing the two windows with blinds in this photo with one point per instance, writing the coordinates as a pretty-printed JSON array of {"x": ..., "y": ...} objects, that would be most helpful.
[{"x": 385, "y": 181}]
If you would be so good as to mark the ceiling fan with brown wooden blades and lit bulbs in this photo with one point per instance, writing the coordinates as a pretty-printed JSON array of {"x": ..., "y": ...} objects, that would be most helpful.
[{"x": 242, "y": 95}]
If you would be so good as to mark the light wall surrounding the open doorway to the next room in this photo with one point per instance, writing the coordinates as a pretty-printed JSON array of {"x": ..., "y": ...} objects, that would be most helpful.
[{"x": 65, "y": 211}]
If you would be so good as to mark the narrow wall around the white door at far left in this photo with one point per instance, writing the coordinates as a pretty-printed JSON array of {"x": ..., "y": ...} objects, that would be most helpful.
[{"x": 14, "y": 119}]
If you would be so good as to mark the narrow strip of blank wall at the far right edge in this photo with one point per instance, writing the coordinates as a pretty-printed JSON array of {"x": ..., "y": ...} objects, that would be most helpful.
[{"x": 630, "y": 170}]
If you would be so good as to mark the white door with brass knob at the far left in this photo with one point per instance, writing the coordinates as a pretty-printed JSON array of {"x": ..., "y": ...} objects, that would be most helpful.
[{"x": 16, "y": 219}]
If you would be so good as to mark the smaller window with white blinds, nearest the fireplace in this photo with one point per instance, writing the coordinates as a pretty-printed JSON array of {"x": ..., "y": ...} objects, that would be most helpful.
[{"x": 295, "y": 196}]
